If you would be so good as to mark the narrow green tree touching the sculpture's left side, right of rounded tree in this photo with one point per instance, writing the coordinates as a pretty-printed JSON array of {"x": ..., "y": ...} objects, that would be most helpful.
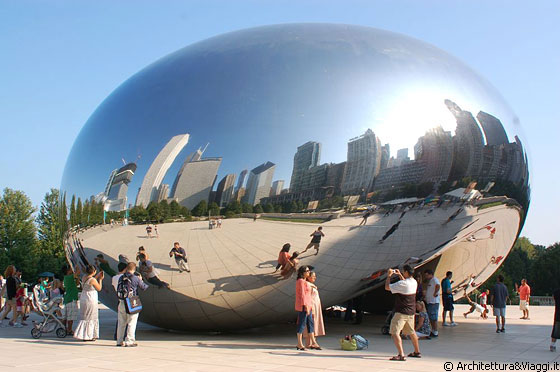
[{"x": 50, "y": 229}]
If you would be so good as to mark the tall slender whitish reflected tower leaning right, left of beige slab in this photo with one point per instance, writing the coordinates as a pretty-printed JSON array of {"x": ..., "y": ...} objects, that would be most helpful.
[{"x": 154, "y": 176}]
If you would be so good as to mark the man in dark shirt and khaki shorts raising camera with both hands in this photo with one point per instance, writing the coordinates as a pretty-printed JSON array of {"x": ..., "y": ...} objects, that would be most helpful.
[{"x": 405, "y": 308}]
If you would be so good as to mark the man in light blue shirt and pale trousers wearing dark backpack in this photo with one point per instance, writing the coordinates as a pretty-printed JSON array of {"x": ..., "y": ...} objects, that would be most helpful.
[{"x": 126, "y": 320}]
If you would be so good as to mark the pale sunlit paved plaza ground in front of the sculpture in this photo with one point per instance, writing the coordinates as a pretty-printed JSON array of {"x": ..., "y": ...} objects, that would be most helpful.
[{"x": 273, "y": 347}]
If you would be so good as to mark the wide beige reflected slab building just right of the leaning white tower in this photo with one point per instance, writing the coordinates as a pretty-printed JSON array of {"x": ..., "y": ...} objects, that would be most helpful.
[{"x": 195, "y": 179}]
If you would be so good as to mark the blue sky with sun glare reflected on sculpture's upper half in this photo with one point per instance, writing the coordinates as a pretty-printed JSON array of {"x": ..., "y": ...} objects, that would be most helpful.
[{"x": 256, "y": 95}]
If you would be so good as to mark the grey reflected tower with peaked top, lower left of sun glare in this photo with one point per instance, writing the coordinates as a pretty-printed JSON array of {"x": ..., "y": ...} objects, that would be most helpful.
[{"x": 363, "y": 163}]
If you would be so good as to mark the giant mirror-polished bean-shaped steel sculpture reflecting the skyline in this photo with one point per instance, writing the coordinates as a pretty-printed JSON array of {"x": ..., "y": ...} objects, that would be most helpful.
[{"x": 241, "y": 143}]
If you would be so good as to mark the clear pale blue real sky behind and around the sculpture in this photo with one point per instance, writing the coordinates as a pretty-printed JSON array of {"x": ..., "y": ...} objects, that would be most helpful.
[{"x": 60, "y": 59}]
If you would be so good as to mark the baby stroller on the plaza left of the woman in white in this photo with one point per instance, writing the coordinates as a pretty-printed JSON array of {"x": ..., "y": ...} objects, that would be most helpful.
[{"x": 50, "y": 322}]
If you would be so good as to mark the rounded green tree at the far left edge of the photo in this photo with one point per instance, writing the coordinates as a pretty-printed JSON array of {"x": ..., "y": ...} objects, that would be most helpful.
[{"x": 18, "y": 242}]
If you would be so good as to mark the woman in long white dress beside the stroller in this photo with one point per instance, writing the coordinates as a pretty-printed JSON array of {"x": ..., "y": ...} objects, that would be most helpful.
[{"x": 88, "y": 327}]
